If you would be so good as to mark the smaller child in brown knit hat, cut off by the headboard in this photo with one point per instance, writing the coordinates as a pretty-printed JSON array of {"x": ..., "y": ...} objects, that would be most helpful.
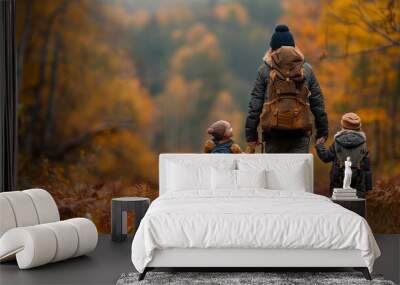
[{"x": 221, "y": 142}]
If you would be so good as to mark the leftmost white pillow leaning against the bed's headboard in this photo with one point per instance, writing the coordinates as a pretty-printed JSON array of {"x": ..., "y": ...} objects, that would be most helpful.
[{"x": 183, "y": 178}]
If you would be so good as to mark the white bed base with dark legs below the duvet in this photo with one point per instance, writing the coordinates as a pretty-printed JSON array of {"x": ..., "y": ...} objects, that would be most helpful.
[{"x": 250, "y": 259}]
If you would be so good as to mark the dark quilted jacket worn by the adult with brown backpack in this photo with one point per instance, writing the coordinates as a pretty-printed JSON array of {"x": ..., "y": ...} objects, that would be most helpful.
[{"x": 258, "y": 96}]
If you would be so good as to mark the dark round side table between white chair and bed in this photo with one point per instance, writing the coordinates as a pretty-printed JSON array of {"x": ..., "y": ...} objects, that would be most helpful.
[{"x": 119, "y": 209}]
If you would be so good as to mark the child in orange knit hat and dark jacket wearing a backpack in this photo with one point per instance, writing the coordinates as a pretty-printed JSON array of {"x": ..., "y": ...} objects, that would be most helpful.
[{"x": 352, "y": 142}]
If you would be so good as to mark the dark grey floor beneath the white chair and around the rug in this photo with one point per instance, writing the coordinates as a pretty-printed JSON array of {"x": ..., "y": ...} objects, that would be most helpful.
[{"x": 111, "y": 259}]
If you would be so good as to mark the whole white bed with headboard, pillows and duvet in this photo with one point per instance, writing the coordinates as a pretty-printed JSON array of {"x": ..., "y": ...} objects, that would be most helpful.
[{"x": 201, "y": 223}]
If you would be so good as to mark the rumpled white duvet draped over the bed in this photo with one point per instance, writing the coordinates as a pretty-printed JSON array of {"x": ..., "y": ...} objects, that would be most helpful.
[{"x": 250, "y": 219}]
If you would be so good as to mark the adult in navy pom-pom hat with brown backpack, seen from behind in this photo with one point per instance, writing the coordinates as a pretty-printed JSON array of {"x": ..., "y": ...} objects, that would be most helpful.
[{"x": 286, "y": 100}]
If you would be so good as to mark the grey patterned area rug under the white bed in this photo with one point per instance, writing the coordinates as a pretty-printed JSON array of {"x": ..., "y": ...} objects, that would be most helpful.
[{"x": 230, "y": 278}]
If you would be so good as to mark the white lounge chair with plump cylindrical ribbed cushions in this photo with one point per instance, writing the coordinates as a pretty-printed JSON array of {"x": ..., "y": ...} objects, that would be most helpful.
[{"x": 31, "y": 232}]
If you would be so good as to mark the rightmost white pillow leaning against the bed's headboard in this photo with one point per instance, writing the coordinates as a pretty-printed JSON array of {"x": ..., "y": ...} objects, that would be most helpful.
[{"x": 292, "y": 179}]
